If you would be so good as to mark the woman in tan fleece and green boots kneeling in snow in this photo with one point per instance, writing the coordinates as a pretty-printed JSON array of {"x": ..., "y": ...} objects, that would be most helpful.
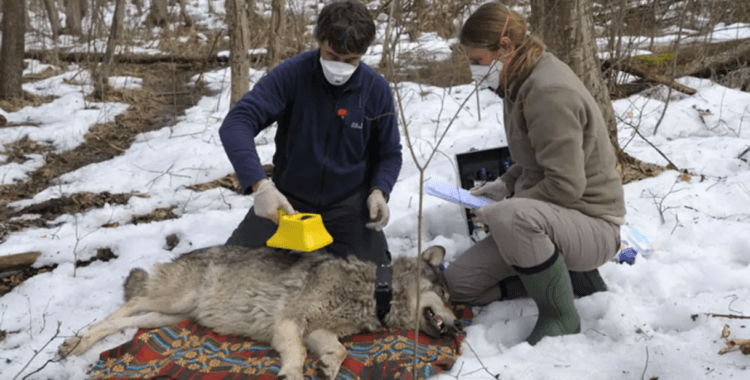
[{"x": 564, "y": 205}]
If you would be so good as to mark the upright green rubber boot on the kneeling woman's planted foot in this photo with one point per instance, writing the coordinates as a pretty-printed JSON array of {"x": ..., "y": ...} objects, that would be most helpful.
[{"x": 548, "y": 284}]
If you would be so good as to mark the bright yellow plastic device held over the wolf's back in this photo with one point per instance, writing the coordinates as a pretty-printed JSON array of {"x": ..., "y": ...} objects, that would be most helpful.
[{"x": 300, "y": 232}]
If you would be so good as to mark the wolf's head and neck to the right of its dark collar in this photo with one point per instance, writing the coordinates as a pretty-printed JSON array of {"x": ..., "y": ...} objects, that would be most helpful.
[{"x": 435, "y": 312}]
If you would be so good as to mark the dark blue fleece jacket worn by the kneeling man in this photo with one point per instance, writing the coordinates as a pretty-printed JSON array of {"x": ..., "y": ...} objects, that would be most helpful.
[{"x": 331, "y": 140}]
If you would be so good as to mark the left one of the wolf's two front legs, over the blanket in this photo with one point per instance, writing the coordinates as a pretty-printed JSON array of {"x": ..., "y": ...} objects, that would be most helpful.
[{"x": 287, "y": 340}]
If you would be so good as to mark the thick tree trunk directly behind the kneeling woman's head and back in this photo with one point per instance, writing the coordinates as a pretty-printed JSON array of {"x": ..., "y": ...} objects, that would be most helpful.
[{"x": 567, "y": 27}]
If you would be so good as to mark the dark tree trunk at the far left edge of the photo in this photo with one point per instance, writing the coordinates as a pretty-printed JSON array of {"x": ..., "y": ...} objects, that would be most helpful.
[{"x": 11, "y": 52}]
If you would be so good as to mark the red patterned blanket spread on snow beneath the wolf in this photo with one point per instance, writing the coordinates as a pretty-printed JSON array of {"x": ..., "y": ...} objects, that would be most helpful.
[{"x": 190, "y": 351}]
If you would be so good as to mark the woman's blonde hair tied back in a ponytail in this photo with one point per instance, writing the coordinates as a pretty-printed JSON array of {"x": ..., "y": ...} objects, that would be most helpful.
[{"x": 483, "y": 28}]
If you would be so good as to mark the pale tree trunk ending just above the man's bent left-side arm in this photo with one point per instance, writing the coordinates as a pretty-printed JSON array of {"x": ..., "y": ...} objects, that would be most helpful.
[{"x": 239, "y": 41}]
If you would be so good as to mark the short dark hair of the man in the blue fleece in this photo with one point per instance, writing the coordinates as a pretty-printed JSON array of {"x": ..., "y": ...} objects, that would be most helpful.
[{"x": 347, "y": 26}]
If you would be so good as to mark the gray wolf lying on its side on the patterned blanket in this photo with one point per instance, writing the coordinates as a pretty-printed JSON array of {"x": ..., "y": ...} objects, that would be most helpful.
[{"x": 296, "y": 302}]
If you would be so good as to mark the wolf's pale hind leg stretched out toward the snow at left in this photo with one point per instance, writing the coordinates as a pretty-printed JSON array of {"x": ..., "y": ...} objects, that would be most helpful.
[{"x": 78, "y": 345}]
